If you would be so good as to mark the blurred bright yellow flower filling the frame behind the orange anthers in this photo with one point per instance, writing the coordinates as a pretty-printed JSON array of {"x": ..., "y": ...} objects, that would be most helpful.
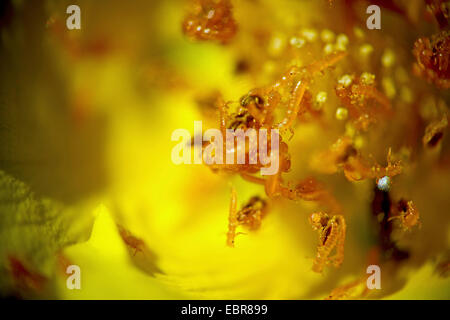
[{"x": 88, "y": 179}]
